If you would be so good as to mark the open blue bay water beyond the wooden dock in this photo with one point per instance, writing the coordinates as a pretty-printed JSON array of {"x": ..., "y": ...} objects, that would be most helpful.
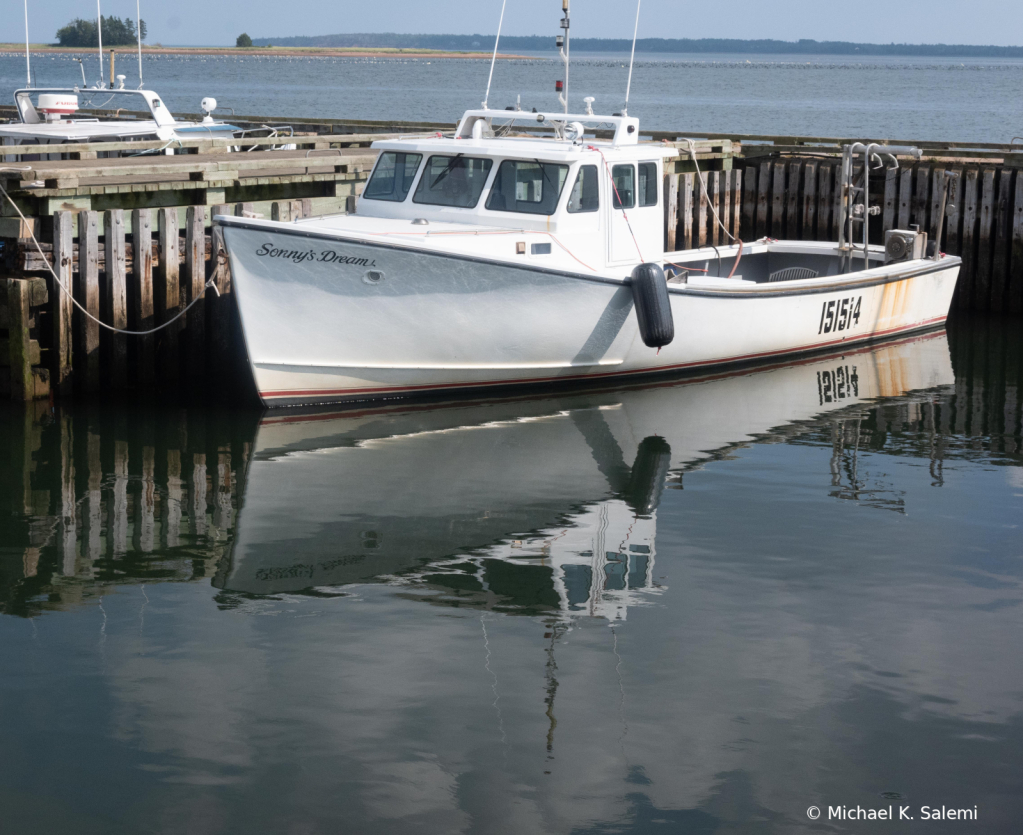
[{"x": 909, "y": 99}]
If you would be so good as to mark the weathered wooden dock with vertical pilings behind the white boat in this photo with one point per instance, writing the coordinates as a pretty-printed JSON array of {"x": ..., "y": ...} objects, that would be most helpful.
[{"x": 134, "y": 236}]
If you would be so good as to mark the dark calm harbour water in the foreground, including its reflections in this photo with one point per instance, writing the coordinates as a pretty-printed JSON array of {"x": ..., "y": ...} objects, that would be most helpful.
[{"x": 698, "y": 607}]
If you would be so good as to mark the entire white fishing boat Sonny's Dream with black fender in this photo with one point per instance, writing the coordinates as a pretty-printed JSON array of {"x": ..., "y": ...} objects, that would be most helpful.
[{"x": 491, "y": 259}]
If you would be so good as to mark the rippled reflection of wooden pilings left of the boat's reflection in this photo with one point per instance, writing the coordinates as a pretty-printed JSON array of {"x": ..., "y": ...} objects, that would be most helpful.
[{"x": 94, "y": 491}]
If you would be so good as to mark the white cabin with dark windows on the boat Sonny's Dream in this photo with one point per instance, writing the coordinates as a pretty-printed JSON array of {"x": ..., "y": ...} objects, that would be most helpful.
[{"x": 598, "y": 199}]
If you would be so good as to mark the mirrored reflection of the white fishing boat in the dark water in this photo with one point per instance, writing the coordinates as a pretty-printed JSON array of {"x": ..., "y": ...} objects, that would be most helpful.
[{"x": 531, "y": 505}]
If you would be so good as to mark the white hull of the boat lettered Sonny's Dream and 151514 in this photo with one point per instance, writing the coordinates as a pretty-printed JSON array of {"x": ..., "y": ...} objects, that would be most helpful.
[{"x": 331, "y": 320}]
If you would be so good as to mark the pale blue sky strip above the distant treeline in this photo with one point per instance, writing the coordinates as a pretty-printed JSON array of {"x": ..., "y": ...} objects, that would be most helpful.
[{"x": 219, "y": 23}]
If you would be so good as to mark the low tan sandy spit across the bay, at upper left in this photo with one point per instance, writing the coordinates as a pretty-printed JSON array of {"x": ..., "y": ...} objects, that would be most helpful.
[{"x": 304, "y": 52}]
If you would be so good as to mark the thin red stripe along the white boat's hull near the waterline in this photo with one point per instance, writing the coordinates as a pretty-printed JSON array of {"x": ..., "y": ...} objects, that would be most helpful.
[{"x": 291, "y": 393}]
